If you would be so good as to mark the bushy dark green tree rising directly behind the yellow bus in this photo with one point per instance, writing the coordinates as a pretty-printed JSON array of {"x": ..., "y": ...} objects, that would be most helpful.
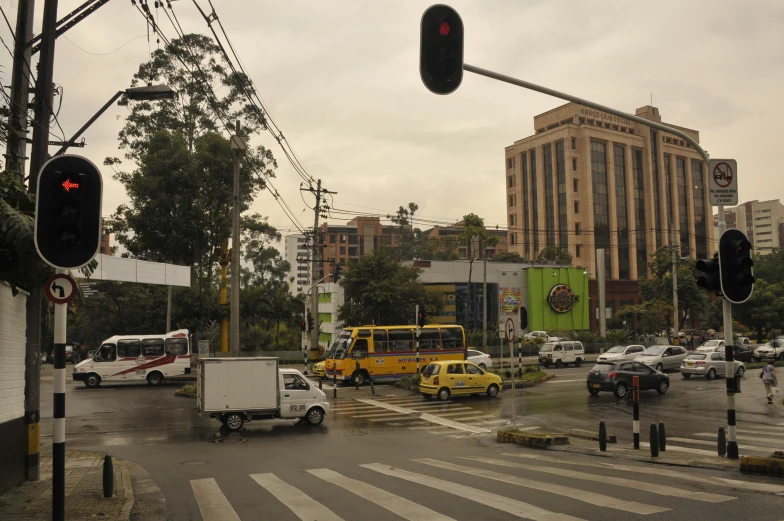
[{"x": 379, "y": 290}]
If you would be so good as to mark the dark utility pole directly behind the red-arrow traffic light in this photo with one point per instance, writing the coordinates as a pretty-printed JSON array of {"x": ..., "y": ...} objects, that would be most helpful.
[{"x": 38, "y": 156}]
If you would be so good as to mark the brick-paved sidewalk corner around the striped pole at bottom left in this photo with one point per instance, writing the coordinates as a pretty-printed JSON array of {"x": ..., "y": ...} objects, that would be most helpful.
[{"x": 136, "y": 496}]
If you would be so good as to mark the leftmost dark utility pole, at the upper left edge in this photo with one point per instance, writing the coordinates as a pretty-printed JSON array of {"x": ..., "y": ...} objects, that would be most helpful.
[{"x": 16, "y": 145}]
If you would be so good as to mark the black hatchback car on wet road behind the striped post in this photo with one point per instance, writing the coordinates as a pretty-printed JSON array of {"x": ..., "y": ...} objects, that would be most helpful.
[{"x": 616, "y": 377}]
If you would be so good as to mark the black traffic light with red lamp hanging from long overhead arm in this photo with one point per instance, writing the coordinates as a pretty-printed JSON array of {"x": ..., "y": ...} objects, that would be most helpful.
[{"x": 441, "y": 49}]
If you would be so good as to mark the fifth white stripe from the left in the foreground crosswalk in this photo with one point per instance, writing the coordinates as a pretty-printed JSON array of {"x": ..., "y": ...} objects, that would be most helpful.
[{"x": 592, "y": 498}]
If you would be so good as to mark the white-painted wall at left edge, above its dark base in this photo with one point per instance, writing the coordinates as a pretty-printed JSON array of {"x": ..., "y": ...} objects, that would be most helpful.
[{"x": 13, "y": 326}]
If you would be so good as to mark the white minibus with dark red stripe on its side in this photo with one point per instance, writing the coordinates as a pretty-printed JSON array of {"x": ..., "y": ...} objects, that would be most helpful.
[{"x": 135, "y": 358}]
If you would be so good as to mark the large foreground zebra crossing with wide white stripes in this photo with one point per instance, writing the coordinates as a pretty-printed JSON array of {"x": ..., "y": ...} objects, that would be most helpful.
[{"x": 524, "y": 485}]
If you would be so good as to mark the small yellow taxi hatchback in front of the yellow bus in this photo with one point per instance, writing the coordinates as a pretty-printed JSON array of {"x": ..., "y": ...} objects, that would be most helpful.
[{"x": 449, "y": 377}]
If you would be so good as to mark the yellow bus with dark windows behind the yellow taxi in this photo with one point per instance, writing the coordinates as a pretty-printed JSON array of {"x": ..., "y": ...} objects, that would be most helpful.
[{"x": 389, "y": 352}]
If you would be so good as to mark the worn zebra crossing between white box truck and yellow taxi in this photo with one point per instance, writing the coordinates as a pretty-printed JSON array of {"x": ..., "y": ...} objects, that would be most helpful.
[{"x": 456, "y": 418}]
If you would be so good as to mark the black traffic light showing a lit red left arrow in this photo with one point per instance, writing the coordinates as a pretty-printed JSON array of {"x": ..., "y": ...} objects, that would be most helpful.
[{"x": 68, "y": 211}]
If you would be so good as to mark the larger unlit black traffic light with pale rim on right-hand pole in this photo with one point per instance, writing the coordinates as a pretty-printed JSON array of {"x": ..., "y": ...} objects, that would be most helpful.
[{"x": 736, "y": 266}]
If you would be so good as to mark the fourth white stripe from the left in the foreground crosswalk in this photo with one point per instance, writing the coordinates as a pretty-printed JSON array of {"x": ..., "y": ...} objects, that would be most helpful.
[{"x": 505, "y": 504}]
